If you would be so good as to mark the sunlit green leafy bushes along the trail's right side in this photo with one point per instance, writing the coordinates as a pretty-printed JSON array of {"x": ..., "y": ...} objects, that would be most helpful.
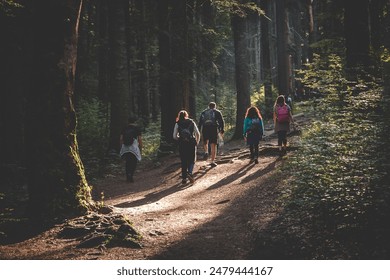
[{"x": 339, "y": 175}]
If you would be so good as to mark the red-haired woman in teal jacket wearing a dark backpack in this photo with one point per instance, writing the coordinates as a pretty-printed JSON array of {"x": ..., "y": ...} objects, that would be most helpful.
[{"x": 253, "y": 131}]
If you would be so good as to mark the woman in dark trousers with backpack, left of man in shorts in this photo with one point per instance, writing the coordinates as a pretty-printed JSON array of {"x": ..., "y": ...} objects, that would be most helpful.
[{"x": 187, "y": 133}]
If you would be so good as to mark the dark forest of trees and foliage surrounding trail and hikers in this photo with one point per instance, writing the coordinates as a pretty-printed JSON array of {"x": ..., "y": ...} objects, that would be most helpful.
[{"x": 73, "y": 71}]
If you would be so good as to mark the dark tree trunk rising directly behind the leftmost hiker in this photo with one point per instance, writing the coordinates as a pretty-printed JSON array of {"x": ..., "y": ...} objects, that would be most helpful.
[{"x": 119, "y": 74}]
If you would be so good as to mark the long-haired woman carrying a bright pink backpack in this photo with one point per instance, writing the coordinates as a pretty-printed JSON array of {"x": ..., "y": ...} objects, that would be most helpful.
[{"x": 282, "y": 120}]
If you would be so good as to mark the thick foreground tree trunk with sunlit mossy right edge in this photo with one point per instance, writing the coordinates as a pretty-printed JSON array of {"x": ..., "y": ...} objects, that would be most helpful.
[{"x": 56, "y": 181}]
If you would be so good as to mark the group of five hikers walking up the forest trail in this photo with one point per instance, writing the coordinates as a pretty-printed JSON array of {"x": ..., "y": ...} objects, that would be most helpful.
[{"x": 211, "y": 127}]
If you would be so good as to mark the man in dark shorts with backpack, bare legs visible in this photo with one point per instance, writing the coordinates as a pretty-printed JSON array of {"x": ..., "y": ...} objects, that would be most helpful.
[{"x": 211, "y": 123}]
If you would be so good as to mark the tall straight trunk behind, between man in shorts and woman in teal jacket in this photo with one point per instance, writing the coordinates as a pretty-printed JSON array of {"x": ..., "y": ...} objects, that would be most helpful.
[{"x": 242, "y": 72}]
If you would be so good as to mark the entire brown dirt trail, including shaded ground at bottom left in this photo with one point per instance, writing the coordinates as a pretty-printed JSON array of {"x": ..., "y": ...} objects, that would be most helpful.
[{"x": 210, "y": 219}]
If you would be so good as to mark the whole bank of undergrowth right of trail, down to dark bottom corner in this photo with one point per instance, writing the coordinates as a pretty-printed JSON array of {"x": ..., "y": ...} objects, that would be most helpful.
[{"x": 338, "y": 202}]
